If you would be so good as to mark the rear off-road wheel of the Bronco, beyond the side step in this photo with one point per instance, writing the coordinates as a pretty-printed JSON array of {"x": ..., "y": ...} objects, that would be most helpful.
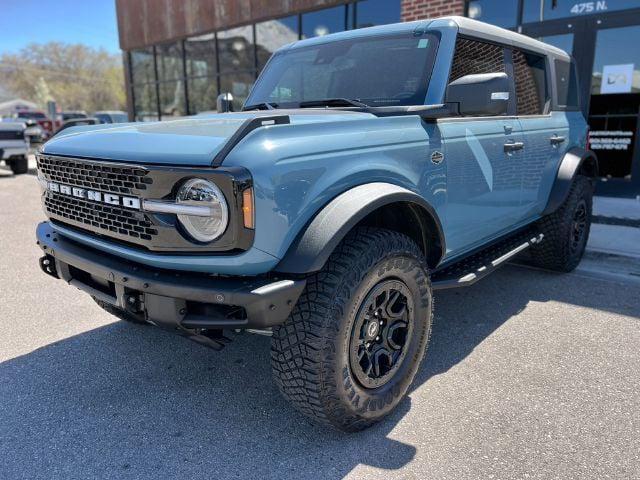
[{"x": 559, "y": 249}]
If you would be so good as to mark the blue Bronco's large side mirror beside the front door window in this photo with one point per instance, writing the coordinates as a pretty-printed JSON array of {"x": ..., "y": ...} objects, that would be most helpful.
[{"x": 480, "y": 94}]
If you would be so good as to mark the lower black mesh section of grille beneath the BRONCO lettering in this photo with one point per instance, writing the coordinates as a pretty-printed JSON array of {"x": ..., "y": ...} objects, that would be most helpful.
[{"x": 103, "y": 217}]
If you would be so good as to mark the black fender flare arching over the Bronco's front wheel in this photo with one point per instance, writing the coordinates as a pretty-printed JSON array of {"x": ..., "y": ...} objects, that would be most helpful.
[{"x": 312, "y": 247}]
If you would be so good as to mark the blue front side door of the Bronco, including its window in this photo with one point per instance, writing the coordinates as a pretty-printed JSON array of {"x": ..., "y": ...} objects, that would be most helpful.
[{"x": 484, "y": 158}]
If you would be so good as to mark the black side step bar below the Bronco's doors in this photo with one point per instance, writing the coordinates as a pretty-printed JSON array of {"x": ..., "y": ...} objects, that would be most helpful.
[{"x": 471, "y": 269}]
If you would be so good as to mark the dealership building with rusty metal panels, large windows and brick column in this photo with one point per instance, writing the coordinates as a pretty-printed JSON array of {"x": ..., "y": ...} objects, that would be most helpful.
[{"x": 179, "y": 55}]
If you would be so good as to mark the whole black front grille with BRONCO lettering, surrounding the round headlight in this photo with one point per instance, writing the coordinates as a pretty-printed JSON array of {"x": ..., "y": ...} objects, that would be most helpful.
[{"x": 84, "y": 204}]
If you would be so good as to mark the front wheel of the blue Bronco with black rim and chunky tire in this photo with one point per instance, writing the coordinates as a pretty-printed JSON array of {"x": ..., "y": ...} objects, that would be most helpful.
[{"x": 351, "y": 347}]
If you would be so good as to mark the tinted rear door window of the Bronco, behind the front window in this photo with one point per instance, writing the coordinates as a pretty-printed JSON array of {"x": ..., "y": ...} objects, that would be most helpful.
[{"x": 531, "y": 84}]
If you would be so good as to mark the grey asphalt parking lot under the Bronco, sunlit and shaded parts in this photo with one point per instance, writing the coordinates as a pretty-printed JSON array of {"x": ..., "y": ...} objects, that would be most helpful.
[{"x": 529, "y": 375}]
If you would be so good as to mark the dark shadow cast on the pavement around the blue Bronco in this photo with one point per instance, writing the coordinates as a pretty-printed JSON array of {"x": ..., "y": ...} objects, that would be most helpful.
[{"x": 132, "y": 401}]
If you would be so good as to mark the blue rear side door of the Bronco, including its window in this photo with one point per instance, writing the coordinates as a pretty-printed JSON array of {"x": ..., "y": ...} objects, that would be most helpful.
[{"x": 546, "y": 133}]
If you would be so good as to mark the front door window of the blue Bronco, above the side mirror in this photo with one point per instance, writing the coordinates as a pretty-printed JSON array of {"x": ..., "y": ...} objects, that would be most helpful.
[{"x": 473, "y": 57}]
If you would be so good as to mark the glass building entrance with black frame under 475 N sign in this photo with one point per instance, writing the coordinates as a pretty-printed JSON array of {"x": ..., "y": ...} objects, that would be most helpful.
[{"x": 605, "y": 46}]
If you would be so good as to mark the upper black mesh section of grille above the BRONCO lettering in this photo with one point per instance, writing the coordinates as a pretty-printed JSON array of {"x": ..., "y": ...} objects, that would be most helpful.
[{"x": 104, "y": 177}]
